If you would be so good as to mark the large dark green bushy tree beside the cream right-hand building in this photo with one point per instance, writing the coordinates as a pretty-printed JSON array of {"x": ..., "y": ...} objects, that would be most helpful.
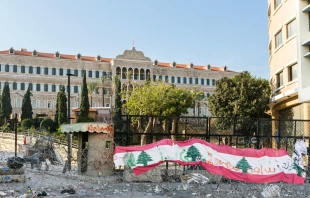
[{"x": 242, "y": 96}]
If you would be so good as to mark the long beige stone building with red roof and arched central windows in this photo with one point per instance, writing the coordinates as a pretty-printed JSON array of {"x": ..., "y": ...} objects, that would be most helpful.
[{"x": 44, "y": 73}]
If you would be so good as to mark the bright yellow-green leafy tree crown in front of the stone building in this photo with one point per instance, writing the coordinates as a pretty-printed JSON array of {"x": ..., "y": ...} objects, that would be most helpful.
[{"x": 159, "y": 99}]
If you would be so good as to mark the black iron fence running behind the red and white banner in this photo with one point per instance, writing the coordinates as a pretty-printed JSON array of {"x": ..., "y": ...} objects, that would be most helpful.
[{"x": 238, "y": 132}]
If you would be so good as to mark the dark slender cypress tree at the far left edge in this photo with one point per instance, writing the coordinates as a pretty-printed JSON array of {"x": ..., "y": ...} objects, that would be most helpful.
[{"x": 6, "y": 107}]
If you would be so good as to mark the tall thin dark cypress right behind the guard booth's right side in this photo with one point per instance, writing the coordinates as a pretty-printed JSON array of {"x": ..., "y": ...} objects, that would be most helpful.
[{"x": 117, "y": 112}]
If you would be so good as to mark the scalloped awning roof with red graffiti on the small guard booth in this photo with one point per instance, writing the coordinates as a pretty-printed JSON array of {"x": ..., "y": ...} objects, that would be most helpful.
[{"x": 91, "y": 127}]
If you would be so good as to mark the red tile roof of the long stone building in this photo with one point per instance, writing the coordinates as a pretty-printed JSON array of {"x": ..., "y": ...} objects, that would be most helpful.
[{"x": 92, "y": 58}]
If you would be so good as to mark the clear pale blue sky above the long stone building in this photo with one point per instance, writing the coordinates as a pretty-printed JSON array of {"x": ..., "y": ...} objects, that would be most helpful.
[{"x": 226, "y": 32}]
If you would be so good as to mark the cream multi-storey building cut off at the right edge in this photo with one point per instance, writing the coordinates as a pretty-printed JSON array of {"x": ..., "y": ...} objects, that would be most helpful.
[{"x": 289, "y": 62}]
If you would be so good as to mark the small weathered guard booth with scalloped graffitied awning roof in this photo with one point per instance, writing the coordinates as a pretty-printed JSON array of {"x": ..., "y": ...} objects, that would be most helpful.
[{"x": 95, "y": 147}]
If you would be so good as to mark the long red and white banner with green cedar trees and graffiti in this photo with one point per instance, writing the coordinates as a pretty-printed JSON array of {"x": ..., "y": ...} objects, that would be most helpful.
[{"x": 249, "y": 165}]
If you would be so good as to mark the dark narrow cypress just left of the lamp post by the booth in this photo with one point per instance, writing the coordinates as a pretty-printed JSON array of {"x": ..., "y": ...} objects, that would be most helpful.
[{"x": 62, "y": 106}]
